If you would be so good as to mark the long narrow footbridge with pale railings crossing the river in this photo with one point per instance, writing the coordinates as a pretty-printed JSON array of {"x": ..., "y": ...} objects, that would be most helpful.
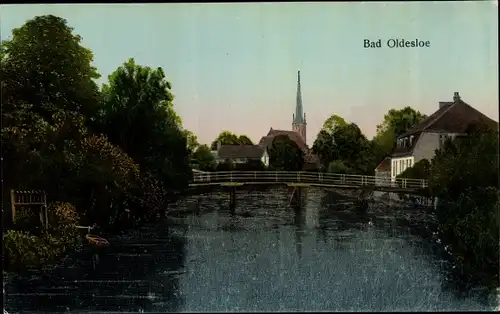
[{"x": 305, "y": 179}]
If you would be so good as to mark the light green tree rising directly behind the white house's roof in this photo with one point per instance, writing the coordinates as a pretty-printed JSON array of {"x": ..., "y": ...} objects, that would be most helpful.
[{"x": 395, "y": 123}]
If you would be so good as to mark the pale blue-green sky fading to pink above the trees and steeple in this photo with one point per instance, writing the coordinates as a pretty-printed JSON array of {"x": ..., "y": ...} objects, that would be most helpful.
[{"x": 234, "y": 66}]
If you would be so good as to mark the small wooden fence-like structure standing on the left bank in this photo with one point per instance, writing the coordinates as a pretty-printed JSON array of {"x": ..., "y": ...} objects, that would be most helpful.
[{"x": 30, "y": 199}]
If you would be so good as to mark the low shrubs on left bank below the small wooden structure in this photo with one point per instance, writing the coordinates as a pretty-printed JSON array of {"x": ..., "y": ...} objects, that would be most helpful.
[{"x": 25, "y": 249}]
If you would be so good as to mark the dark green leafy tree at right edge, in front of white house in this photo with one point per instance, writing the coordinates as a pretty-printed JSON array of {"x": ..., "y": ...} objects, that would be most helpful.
[{"x": 464, "y": 175}]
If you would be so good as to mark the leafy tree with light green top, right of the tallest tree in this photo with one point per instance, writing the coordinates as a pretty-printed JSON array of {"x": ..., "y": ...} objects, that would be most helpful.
[{"x": 138, "y": 116}]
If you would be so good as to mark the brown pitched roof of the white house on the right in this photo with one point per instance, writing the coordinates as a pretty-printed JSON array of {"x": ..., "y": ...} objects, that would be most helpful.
[{"x": 451, "y": 117}]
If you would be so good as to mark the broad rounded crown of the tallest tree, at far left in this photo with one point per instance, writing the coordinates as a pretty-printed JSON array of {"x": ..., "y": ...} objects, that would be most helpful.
[{"x": 45, "y": 65}]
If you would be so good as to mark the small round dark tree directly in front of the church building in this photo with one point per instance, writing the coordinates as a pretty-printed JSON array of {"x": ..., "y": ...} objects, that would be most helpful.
[{"x": 285, "y": 155}]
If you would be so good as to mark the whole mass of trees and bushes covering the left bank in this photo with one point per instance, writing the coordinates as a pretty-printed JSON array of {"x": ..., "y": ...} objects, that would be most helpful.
[{"x": 106, "y": 151}]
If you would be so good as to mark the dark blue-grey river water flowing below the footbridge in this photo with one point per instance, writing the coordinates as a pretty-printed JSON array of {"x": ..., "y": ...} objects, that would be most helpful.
[{"x": 269, "y": 256}]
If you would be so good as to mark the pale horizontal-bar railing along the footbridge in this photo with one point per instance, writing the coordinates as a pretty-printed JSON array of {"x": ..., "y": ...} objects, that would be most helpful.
[{"x": 306, "y": 177}]
